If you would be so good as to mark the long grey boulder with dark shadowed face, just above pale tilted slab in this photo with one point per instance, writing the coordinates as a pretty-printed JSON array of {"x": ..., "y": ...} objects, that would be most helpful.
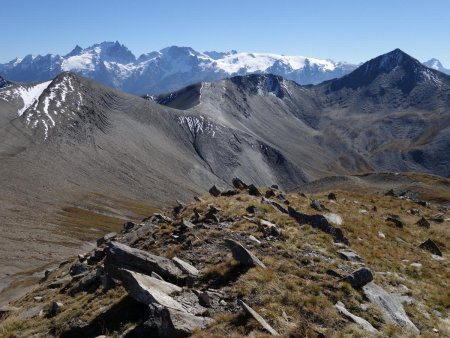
[{"x": 122, "y": 256}]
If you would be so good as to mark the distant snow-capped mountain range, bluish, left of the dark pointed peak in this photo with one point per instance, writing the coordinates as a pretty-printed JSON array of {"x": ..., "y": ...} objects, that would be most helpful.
[{"x": 169, "y": 69}]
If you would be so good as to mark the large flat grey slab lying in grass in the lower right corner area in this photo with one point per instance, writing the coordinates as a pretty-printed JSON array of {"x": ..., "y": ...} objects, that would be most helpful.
[{"x": 391, "y": 306}]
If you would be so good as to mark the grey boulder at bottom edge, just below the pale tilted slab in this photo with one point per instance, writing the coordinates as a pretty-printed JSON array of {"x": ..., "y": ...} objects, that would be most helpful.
[{"x": 175, "y": 324}]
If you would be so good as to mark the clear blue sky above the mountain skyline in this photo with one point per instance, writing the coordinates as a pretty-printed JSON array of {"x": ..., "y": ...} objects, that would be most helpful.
[{"x": 349, "y": 30}]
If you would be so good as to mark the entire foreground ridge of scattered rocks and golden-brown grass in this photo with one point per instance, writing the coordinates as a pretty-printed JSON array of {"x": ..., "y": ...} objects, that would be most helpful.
[{"x": 251, "y": 261}]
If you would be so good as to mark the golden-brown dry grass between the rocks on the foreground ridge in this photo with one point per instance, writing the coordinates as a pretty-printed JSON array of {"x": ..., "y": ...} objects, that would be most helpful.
[{"x": 297, "y": 282}]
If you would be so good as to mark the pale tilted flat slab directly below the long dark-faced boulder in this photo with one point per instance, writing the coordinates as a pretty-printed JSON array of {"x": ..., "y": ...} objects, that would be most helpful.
[{"x": 149, "y": 290}]
